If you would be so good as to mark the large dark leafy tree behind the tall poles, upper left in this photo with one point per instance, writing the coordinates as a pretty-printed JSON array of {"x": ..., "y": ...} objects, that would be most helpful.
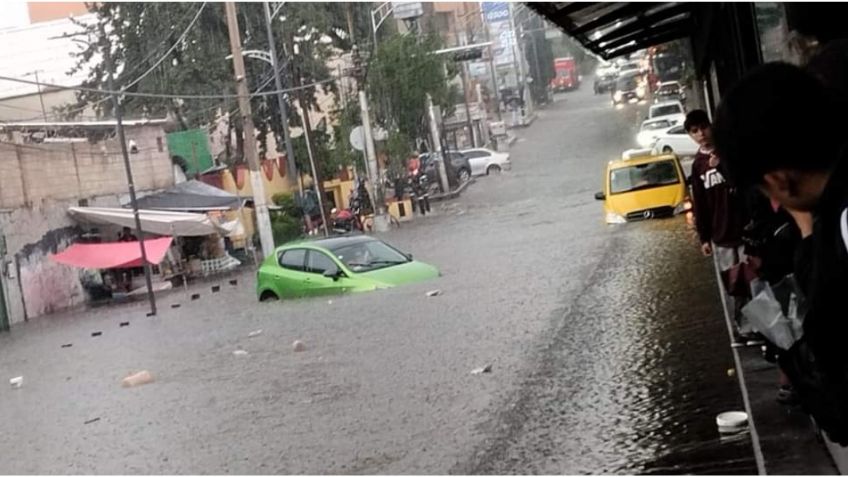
[{"x": 179, "y": 47}]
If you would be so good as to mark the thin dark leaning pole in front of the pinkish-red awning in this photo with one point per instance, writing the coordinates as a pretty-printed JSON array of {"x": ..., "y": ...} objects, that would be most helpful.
[{"x": 119, "y": 126}]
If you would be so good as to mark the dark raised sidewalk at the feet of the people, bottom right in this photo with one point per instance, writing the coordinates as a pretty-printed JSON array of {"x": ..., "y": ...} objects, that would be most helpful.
[{"x": 784, "y": 439}]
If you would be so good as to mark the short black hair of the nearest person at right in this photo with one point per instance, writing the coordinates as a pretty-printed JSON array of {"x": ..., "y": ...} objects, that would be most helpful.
[{"x": 778, "y": 117}]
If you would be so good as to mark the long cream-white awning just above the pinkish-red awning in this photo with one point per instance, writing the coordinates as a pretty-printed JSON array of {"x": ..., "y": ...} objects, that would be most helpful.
[{"x": 159, "y": 222}]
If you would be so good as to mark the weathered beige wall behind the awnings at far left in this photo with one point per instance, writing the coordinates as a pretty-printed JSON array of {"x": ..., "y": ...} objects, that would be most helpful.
[{"x": 37, "y": 185}]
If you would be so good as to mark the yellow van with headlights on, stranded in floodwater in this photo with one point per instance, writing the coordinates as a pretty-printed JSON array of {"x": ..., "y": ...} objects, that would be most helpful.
[{"x": 643, "y": 186}]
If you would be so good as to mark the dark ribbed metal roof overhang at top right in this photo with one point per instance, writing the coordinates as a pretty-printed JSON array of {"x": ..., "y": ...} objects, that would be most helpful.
[{"x": 615, "y": 29}]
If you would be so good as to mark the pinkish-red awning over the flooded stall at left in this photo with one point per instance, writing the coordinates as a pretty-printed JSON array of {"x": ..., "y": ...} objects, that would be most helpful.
[{"x": 113, "y": 254}]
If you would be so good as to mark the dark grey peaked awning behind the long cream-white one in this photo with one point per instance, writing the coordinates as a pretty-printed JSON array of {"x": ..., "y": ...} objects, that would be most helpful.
[{"x": 192, "y": 195}]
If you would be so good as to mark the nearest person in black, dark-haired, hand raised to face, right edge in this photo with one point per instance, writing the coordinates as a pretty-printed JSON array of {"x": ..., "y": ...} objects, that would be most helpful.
[{"x": 764, "y": 131}]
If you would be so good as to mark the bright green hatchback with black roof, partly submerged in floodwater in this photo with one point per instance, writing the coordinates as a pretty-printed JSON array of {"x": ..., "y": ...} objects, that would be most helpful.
[{"x": 337, "y": 265}]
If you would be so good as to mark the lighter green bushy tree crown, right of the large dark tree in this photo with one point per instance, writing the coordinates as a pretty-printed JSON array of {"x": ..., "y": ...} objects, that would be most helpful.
[{"x": 399, "y": 78}]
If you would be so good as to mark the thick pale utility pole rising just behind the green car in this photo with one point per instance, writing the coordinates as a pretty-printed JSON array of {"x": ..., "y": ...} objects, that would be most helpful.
[{"x": 263, "y": 219}]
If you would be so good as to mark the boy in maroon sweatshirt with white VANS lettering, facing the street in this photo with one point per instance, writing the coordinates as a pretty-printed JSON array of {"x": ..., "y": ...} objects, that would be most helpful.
[{"x": 718, "y": 207}]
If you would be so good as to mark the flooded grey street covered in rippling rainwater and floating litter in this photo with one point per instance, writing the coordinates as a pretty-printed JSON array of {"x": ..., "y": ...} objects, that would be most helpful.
[{"x": 608, "y": 350}]
